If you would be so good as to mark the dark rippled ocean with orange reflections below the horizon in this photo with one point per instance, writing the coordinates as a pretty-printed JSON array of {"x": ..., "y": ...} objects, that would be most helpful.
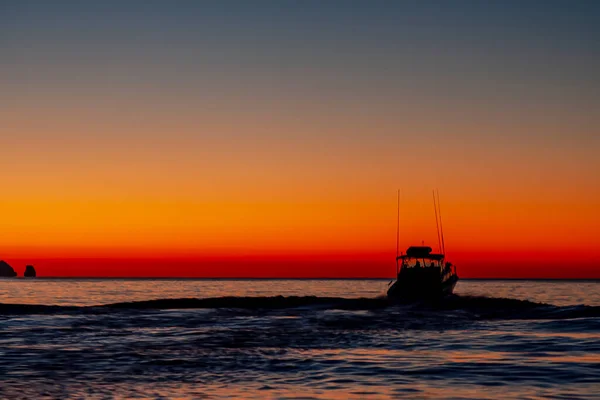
[{"x": 329, "y": 339}]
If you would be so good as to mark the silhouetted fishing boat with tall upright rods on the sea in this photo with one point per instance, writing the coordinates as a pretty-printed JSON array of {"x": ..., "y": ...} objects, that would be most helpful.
[{"x": 420, "y": 273}]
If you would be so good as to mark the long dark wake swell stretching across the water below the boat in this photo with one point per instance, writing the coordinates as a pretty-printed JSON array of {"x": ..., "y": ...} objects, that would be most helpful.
[{"x": 469, "y": 307}]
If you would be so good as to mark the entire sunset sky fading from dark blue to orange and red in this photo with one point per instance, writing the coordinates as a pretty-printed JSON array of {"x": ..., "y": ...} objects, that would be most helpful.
[{"x": 269, "y": 138}]
